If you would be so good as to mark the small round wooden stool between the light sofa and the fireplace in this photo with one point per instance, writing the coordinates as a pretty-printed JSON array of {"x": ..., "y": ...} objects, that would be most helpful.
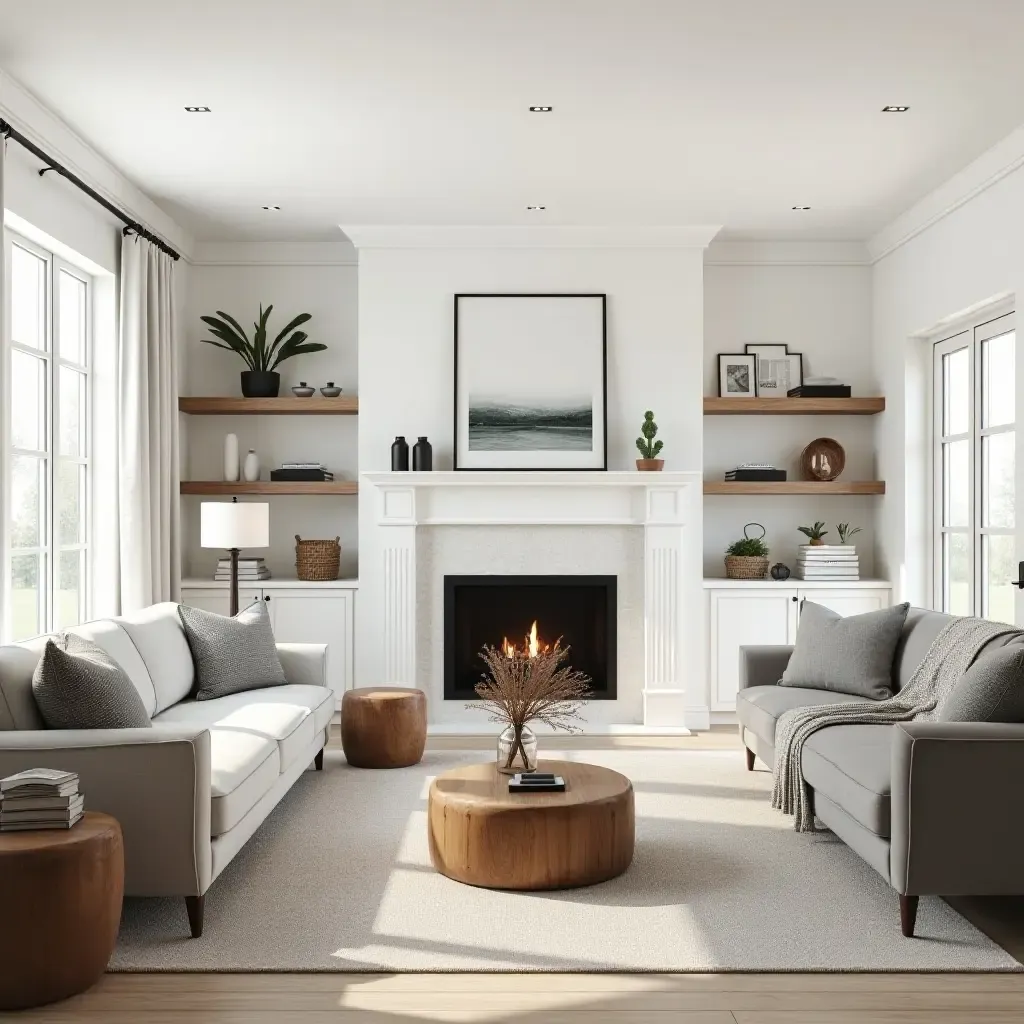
[{"x": 383, "y": 727}]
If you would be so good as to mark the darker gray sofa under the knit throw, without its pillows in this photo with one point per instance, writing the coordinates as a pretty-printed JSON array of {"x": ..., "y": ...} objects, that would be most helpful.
[{"x": 936, "y": 808}]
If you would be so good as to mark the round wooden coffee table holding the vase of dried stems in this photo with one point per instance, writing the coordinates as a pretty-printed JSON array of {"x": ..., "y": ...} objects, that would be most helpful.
[{"x": 483, "y": 835}]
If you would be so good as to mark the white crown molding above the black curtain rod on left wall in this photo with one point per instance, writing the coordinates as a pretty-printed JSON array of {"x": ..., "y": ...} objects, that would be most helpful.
[{"x": 57, "y": 138}]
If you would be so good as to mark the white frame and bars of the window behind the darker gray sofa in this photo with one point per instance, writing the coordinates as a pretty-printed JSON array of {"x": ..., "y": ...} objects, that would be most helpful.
[{"x": 970, "y": 335}]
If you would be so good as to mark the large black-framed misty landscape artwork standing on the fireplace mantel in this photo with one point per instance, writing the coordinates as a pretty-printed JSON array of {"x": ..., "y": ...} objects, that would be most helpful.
[{"x": 531, "y": 382}]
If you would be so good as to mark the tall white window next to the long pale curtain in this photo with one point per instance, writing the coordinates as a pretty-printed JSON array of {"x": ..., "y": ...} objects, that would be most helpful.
[{"x": 46, "y": 372}]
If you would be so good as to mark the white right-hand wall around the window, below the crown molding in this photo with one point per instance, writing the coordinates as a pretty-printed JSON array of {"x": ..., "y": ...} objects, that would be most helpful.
[{"x": 973, "y": 255}]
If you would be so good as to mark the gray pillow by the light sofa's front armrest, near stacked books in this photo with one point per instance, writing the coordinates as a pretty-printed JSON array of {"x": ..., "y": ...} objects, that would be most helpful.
[{"x": 77, "y": 686}]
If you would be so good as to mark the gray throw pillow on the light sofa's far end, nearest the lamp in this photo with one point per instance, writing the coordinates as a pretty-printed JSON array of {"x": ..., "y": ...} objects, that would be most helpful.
[{"x": 232, "y": 655}]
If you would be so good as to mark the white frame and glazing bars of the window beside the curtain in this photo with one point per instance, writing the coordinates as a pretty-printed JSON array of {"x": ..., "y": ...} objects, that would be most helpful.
[{"x": 53, "y": 360}]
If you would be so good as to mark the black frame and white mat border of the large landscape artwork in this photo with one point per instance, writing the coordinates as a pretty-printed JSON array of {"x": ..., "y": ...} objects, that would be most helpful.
[{"x": 461, "y": 450}]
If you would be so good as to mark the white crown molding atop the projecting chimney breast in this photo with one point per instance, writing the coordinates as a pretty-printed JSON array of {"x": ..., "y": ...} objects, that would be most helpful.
[{"x": 516, "y": 237}]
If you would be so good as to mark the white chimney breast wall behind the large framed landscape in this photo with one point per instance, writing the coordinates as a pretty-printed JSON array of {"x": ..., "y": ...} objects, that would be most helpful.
[{"x": 656, "y": 352}]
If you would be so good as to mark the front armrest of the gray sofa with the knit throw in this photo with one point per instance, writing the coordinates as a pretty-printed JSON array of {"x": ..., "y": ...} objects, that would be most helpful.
[{"x": 958, "y": 812}]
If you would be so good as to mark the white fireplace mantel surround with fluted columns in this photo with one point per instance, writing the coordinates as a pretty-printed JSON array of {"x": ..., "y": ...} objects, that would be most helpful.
[{"x": 666, "y": 506}]
